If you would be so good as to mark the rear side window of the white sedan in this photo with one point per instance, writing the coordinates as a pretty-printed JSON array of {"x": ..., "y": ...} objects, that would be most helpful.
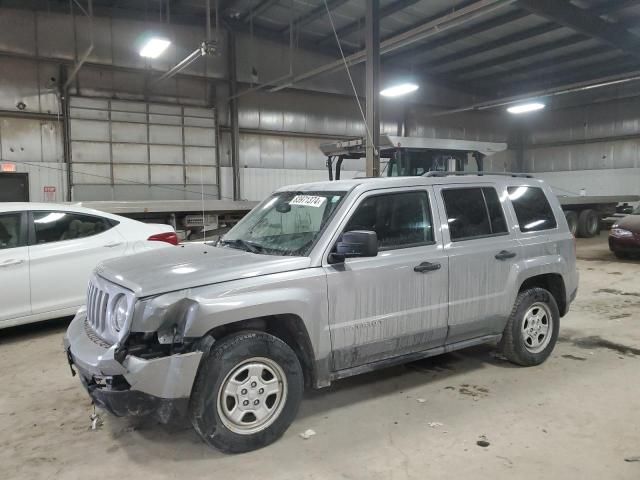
[{"x": 51, "y": 226}]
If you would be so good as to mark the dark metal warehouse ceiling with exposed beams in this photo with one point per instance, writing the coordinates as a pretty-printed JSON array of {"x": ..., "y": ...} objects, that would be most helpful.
[{"x": 503, "y": 48}]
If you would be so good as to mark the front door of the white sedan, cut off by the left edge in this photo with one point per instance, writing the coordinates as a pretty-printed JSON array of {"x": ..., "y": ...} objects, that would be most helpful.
[{"x": 14, "y": 266}]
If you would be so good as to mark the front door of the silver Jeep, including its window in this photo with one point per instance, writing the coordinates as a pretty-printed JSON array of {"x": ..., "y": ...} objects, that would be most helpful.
[{"x": 395, "y": 303}]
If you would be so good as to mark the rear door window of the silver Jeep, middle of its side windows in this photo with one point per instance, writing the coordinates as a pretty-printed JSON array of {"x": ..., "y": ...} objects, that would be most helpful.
[{"x": 473, "y": 212}]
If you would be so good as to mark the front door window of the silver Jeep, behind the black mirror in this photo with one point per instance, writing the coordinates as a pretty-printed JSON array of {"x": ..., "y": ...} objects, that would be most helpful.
[{"x": 399, "y": 219}]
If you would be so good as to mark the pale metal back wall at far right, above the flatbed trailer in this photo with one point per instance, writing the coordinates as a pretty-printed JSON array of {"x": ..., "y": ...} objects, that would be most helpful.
[{"x": 595, "y": 147}]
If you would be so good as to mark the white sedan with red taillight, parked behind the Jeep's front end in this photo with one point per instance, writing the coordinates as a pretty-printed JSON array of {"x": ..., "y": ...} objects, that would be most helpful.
[{"x": 47, "y": 252}]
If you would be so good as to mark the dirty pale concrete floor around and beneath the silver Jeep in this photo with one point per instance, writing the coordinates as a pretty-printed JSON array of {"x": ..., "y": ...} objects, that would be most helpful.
[{"x": 576, "y": 416}]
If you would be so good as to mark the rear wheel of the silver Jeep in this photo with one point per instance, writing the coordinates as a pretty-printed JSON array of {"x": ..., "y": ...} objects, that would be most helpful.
[{"x": 518, "y": 344}]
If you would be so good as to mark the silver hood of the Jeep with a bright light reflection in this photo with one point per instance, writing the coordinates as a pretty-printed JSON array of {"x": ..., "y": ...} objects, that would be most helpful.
[{"x": 188, "y": 266}]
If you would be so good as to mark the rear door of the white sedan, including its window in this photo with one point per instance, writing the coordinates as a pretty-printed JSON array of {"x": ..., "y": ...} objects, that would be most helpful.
[{"x": 64, "y": 249}]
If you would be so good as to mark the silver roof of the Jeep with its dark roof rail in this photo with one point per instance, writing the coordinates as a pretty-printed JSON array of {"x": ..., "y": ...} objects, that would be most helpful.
[{"x": 391, "y": 182}]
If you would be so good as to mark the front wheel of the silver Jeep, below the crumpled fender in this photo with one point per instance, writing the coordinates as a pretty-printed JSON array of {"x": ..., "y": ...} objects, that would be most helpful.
[{"x": 248, "y": 365}]
